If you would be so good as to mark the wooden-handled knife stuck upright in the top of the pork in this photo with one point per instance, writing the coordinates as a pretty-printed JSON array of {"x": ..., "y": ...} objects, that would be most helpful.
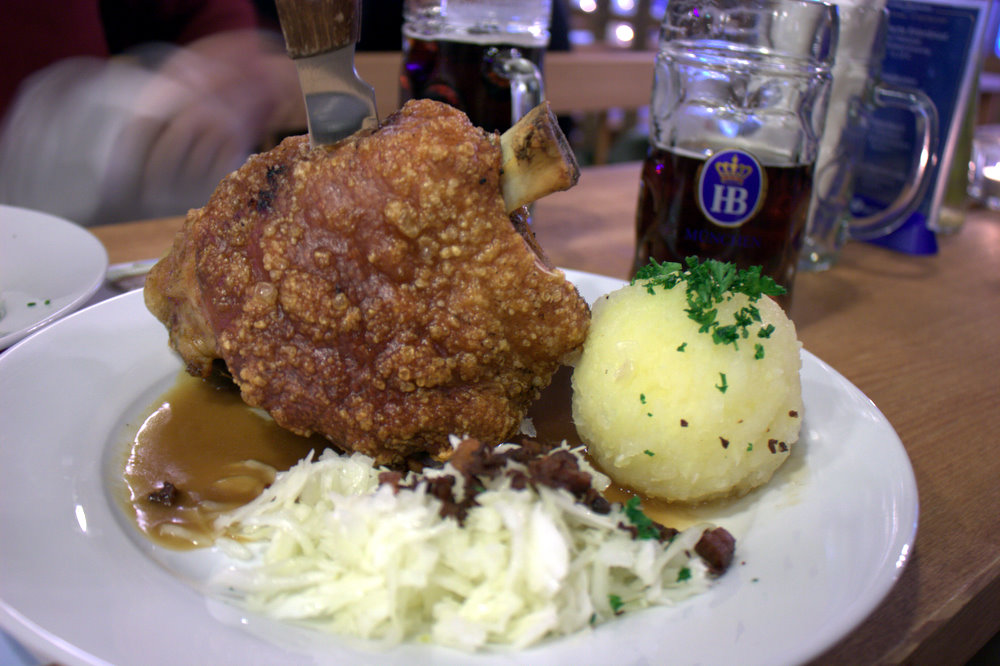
[{"x": 320, "y": 36}]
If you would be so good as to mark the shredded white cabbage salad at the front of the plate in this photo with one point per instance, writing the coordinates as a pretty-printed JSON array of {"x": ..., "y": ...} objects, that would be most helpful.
[{"x": 327, "y": 546}]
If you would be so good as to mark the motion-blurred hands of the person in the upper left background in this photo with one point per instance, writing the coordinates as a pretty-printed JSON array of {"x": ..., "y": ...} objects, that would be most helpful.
[{"x": 105, "y": 141}]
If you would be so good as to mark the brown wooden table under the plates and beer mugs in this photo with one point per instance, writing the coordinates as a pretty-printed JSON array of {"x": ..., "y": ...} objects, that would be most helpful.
[{"x": 918, "y": 335}]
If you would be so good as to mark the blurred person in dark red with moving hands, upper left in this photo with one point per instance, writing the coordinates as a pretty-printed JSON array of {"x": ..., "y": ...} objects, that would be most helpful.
[{"x": 115, "y": 110}]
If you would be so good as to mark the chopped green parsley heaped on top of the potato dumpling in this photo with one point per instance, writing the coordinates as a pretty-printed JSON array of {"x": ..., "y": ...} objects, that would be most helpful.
[{"x": 709, "y": 283}]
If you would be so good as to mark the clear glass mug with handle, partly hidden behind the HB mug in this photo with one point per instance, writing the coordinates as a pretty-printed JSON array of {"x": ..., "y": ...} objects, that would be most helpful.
[{"x": 857, "y": 91}]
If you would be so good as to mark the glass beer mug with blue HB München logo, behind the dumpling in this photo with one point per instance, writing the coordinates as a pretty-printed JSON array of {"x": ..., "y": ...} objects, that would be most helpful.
[{"x": 739, "y": 100}]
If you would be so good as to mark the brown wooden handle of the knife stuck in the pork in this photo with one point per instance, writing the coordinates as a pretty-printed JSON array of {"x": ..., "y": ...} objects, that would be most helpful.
[{"x": 313, "y": 27}]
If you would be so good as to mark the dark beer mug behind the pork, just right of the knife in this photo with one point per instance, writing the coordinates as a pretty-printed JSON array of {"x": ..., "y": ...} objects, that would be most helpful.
[{"x": 481, "y": 56}]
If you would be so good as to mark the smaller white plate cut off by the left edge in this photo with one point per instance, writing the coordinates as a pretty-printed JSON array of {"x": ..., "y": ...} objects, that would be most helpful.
[{"x": 48, "y": 268}]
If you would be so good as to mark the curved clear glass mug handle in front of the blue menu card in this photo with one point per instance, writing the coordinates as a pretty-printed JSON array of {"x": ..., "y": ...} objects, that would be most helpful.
[{"x": 886, "y": 221}]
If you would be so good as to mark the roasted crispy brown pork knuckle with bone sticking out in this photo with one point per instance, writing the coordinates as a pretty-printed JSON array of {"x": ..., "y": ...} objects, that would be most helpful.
[{"x": 376, "y": 291}]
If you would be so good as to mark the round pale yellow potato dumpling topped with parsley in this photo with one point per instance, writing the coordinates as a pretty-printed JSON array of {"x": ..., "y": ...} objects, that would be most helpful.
[{"x": 686, "y": 410}]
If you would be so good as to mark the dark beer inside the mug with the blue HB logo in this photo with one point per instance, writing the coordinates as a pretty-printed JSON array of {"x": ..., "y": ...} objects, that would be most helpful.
[{"x": 672, "y": 221}]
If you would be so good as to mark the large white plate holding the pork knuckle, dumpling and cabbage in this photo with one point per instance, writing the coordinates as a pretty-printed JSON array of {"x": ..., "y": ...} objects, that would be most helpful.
[{"x": 817, "y": 548}]
